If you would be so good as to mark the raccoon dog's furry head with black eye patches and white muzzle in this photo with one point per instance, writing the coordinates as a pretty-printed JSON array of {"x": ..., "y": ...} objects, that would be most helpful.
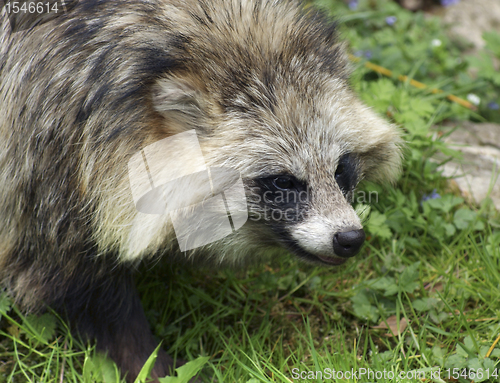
[{"x": 266, "y": 87}]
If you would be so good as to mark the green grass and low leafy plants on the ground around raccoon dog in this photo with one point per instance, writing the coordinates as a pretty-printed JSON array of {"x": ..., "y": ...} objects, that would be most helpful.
[{"x": 430, "y": 271}]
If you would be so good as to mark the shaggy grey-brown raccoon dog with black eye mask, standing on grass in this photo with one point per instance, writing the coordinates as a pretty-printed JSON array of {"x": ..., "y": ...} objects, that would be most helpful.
[{"x": 263, "y": 83}]
